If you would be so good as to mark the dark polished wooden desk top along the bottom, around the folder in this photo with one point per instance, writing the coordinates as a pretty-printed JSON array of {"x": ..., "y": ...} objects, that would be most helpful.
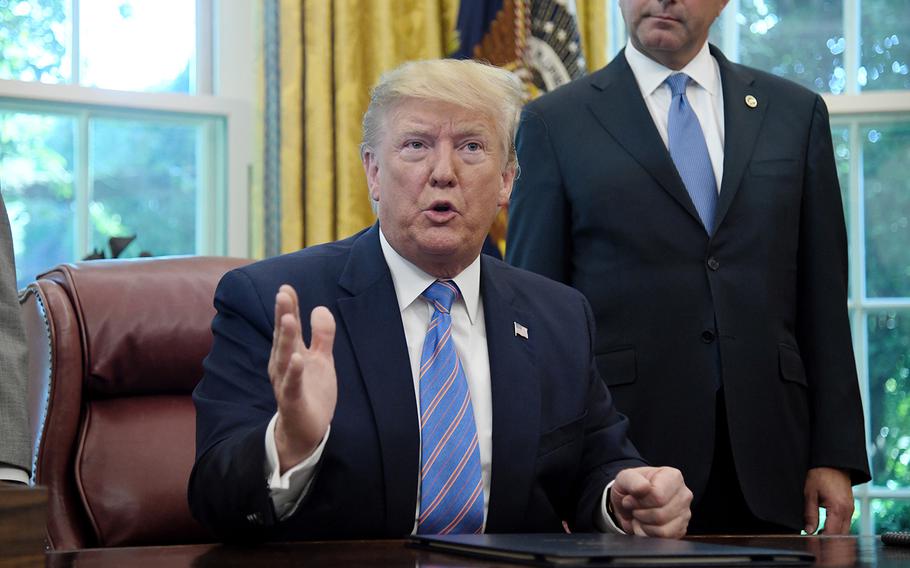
[{"x": 829, "y": 551}]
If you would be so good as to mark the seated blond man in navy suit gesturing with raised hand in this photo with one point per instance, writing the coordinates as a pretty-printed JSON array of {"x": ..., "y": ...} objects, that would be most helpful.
[{"x": 434, "y": 389}]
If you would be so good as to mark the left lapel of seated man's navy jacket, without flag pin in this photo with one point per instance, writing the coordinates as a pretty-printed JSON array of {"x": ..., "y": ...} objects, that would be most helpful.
[{"x": 373, "y": 322}]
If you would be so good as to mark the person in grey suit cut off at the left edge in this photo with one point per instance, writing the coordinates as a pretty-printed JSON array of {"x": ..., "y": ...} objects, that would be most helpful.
[{"x": 14, "y": 439}]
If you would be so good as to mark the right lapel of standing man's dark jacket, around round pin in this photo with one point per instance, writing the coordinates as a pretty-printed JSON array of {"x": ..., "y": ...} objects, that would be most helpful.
[{"x": 741, "y": 126}]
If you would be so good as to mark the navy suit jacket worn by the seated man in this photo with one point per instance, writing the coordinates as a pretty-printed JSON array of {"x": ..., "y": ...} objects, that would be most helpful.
[{"x": 557, "y": 441}]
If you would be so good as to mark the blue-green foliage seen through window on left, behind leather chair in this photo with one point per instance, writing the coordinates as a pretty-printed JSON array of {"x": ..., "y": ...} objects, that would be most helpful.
[{"x": 143, "y": 172}]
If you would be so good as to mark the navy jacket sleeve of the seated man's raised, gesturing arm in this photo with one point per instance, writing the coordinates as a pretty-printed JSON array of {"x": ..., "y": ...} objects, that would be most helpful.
[{"x": 228, "y": 491}]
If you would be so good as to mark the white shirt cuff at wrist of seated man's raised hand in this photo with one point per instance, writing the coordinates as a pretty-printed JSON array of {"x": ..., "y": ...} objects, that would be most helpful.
[{"x": 289, "y": 489}]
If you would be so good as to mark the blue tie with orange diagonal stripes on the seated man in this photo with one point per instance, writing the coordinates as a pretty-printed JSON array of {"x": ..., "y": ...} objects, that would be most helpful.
[{"x": 451, "y": 490}]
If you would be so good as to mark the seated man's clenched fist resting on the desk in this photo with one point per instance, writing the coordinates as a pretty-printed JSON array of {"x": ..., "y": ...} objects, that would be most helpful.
[{"x": 651, "y": 501}]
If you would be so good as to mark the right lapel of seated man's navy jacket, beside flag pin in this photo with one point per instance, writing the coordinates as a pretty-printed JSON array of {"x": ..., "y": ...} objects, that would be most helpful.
[{"x": 516, "y": 399}]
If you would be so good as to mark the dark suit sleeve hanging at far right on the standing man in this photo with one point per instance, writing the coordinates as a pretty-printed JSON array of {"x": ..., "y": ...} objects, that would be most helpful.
[{"x": 823, "y": 329}]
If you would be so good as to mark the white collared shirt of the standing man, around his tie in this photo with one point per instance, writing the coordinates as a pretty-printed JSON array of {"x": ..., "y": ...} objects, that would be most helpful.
[{"x": 703, "y": 91}]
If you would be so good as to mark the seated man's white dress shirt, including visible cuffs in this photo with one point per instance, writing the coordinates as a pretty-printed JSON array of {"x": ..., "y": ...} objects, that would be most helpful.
[{"x": 470, "y": 335}]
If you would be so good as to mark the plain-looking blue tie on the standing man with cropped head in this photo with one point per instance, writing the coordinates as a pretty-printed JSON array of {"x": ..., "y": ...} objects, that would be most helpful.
[{"x": 690, "y": 152}]
